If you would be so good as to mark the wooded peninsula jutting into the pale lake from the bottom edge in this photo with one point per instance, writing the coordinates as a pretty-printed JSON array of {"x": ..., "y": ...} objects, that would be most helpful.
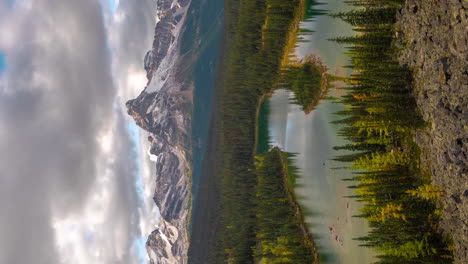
[{"x": 281, "y": 236}]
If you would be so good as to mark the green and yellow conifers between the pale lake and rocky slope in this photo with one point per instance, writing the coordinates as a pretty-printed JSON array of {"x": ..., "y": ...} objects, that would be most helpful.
[{"x": 379, "y": 119}]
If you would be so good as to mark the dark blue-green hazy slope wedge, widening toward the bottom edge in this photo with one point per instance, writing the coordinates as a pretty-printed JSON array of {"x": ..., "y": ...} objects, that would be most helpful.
[{"x": 205, "y": 203}]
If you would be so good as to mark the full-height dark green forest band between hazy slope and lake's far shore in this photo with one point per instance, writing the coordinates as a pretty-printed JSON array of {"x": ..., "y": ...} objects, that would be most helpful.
[{"x": 258, "y": 34}]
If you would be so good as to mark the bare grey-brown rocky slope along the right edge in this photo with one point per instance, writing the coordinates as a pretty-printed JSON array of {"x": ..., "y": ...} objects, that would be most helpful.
[{"x": 436, "y": 40}]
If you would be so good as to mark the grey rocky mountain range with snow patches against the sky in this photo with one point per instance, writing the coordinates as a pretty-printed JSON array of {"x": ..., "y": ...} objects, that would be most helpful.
[{"x": 163, "y": 109}]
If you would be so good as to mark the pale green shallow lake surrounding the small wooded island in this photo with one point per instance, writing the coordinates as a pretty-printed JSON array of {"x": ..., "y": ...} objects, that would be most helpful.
[{"x": 322, "y": 190}]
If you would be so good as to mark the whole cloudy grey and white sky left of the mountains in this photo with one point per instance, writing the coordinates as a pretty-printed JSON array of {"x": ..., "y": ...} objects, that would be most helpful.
[{"x": 75, "y": 182}]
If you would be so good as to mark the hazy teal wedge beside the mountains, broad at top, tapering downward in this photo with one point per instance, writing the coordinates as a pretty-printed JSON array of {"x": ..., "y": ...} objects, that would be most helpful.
[{"x": 206, "y": 20}]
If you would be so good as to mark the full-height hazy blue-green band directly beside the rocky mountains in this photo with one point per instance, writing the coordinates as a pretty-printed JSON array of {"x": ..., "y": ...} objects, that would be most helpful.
[{"x": 203, "y": 40}]
